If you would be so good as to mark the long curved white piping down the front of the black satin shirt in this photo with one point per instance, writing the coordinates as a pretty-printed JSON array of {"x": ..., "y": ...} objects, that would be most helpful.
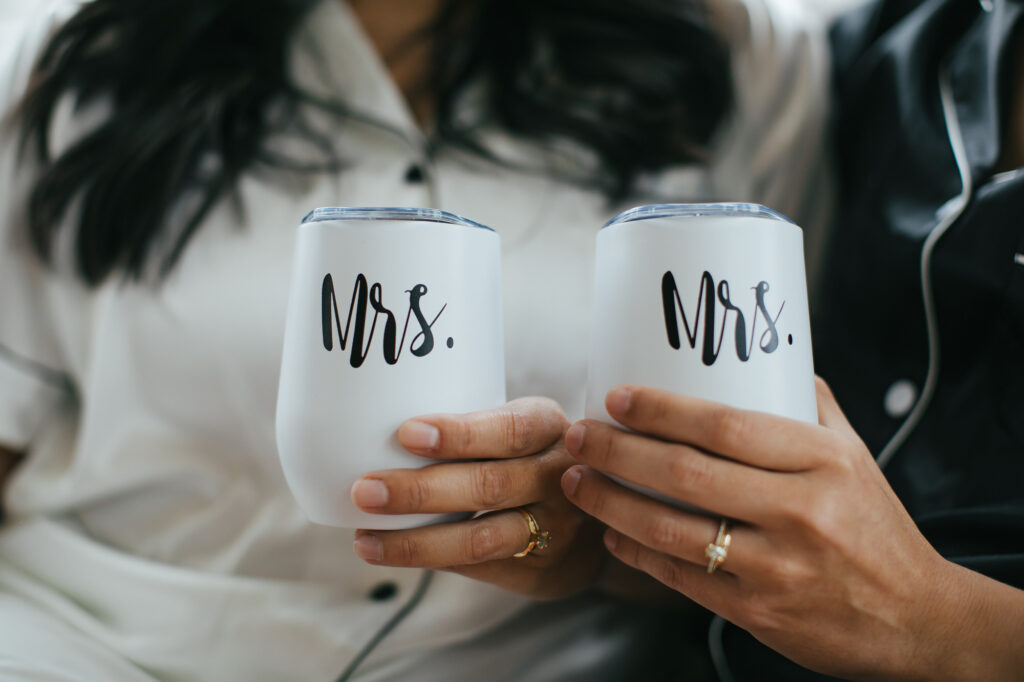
[{"x": 958, "y": 206}]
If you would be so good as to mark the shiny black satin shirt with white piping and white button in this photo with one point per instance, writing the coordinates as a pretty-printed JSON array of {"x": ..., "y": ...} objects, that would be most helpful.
[{"x": 960, "y": 473}]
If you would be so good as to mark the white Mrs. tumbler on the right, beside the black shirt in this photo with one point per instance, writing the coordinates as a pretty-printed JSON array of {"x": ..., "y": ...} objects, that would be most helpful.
[{"x": 707, "y": 301}]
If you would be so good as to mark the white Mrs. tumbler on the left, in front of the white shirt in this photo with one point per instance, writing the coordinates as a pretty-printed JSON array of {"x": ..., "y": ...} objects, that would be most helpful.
[{"x": 394, "y": 314}]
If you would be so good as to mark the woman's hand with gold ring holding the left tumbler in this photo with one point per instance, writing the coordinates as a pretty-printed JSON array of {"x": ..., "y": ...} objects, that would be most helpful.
[{"x": 494, "y": 461}]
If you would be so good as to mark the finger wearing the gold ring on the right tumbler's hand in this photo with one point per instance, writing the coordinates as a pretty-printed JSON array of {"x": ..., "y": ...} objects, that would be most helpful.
[{"x": 672, "y": 532}]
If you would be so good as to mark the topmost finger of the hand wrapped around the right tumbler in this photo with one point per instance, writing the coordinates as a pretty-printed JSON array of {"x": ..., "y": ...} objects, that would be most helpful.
[{"x": 757, "y": 439}]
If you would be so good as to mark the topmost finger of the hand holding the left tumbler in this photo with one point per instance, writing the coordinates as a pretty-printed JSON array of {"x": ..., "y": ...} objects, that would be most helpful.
[{"x": 521, "y": 428}]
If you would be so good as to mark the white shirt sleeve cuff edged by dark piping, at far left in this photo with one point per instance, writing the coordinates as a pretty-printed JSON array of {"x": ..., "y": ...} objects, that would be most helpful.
[{"x": 29, "y": 395}]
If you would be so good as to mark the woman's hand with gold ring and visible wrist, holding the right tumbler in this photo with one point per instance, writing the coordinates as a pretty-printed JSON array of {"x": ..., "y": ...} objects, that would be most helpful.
[{"x": 826, "y": 566}]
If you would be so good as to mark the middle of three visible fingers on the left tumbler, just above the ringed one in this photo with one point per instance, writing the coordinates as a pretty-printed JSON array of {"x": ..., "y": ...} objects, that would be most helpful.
[{"x": 460, "y": 487}]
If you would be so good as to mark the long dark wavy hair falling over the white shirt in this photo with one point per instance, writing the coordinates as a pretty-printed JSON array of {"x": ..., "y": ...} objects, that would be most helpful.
[{"x": 196, "y": 89}]
